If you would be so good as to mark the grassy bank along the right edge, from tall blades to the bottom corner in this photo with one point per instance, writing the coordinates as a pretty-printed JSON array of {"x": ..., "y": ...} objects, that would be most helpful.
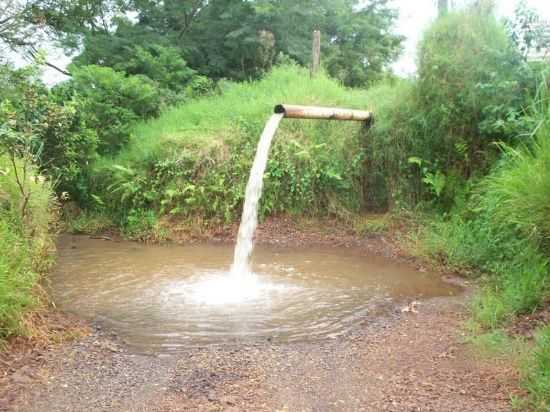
[{"x": 501, "y": 235}]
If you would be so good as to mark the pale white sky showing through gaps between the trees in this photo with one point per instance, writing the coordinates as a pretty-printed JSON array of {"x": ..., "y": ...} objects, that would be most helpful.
[{"x": 414, "y": 17}]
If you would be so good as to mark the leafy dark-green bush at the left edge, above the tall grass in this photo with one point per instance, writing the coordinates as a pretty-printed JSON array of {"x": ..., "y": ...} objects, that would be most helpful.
[{"x": 54, "y": 134}]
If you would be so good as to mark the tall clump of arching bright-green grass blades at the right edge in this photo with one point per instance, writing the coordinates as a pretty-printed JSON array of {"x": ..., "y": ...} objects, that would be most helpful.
[{"x": 515, "y": 204}]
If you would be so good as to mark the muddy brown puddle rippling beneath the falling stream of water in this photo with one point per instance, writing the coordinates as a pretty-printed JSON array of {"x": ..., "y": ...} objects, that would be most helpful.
[{"x": 160, "y": 298}]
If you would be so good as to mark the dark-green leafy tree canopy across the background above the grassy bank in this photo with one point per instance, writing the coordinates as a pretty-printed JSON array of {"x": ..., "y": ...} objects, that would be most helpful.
[{"x": 234, "y": 39}]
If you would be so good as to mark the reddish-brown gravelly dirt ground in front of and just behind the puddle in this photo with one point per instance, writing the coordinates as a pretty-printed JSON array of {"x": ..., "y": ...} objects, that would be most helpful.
[{"x": 408, "y": 358}]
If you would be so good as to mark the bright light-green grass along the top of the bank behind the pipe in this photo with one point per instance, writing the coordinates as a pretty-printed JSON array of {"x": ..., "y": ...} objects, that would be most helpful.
[{"x": 213, "y": 119}]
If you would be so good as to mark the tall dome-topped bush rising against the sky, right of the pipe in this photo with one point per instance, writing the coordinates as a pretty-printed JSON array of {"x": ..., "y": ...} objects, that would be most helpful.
[{"x": 469, "y": 81}]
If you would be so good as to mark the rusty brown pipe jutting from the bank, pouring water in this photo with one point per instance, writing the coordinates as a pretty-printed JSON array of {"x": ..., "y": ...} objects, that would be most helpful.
[{"x": 330, "y": 113}]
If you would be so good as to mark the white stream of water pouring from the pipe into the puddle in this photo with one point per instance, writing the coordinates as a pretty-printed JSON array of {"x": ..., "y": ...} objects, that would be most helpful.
[{"x": 249, "y": 220}]
